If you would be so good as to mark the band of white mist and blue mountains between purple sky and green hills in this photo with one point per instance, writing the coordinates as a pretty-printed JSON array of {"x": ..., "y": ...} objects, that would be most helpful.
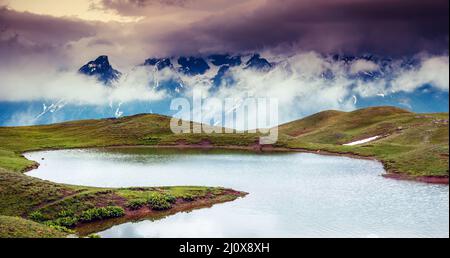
[{"x": 304, "y": 83}]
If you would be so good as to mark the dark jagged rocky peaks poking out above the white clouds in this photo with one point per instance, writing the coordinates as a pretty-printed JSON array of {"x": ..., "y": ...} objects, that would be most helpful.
[{"x": 218, "y": 65}]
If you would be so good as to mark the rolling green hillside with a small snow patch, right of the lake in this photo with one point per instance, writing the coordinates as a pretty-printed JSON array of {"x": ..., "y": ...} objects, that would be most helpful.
[{"x": 411, "y": 144}]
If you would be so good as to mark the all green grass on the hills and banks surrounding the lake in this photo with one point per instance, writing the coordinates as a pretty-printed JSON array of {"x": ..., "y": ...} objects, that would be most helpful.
[{"x": 412, "y": 144}]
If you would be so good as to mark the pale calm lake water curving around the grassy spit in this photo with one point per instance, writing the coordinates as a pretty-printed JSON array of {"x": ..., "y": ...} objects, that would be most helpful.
[{"x": 290, "y": 194}]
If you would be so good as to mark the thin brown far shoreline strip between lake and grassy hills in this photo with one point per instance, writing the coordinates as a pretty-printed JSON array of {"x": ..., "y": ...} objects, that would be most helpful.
[{"x": 257, "y": 148}]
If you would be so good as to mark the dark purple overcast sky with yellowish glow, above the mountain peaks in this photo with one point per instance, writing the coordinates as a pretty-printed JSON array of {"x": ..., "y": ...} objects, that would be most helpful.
[{"x": 68, "y": 33}]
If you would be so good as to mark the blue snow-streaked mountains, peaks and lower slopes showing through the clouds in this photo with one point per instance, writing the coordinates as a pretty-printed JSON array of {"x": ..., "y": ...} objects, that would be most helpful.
[{"x": 216, "y": 71}]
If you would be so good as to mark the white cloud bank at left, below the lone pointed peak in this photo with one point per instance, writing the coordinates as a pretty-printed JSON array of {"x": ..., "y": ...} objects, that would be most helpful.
[{"x": 49, "y": 84}]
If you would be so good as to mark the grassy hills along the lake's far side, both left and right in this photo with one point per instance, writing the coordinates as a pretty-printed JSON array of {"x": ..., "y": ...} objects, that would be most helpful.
[{"x": 405, "y": 137}]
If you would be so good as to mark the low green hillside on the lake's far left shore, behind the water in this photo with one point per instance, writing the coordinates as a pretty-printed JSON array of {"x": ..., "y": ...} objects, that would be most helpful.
[{"x": 134, "y": 130}]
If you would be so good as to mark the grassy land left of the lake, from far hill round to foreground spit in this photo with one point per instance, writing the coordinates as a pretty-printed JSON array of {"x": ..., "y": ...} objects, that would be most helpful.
[{"x": 63, "y": 207}]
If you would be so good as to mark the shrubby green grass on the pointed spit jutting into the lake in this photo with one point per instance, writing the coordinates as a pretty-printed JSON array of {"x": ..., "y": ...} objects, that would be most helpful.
[{"x": 98, "y": 204}]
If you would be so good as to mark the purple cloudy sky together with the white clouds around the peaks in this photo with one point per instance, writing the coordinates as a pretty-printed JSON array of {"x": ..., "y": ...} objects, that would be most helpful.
[{"x": 43, "y": 43}]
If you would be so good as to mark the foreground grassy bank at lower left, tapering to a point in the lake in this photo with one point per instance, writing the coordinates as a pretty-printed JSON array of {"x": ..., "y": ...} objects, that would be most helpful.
[{"x": 63, "y": 207}]
